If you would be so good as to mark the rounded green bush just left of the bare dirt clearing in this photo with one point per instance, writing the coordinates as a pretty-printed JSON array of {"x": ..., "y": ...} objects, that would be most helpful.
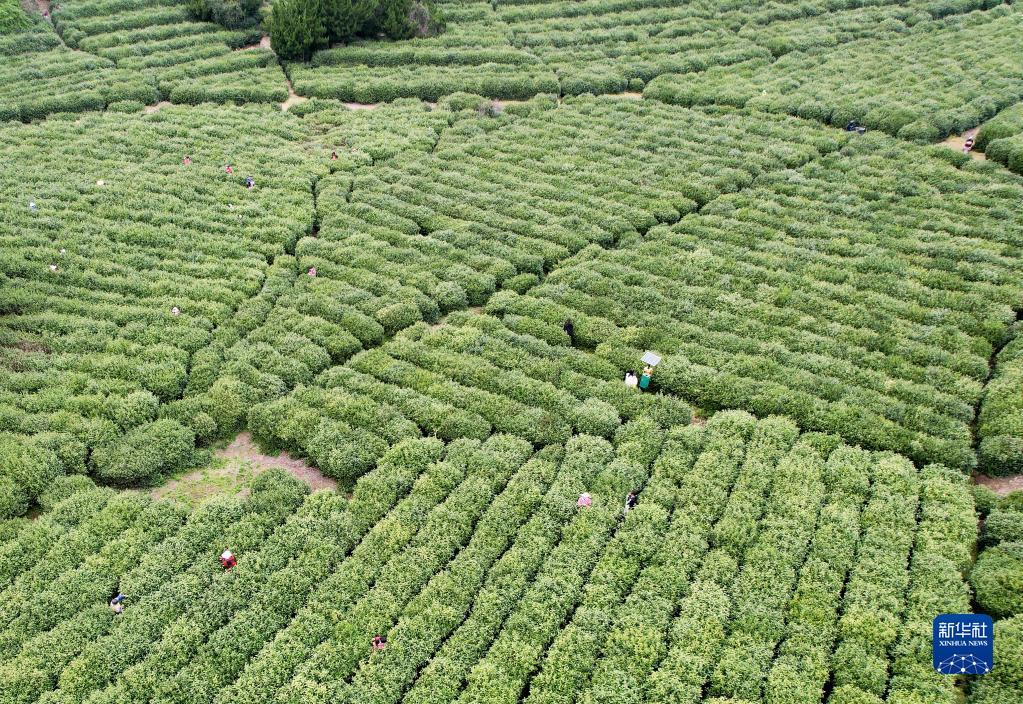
[{"x": 146, "y": 454}]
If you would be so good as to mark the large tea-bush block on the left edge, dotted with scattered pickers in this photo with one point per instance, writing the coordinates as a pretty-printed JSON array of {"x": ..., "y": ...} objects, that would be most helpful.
[{"x": 119, "y": 271}]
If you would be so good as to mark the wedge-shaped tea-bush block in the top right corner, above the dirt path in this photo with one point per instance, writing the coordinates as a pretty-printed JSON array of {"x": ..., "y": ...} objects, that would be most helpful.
[{"x": 941, "y": 78}]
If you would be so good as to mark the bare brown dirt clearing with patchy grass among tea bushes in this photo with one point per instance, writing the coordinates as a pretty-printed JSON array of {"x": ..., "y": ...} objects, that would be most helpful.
[{"x": 234, "y": 470}]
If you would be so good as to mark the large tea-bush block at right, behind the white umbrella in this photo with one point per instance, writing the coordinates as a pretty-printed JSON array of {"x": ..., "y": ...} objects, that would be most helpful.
[{"x": 881, "y": 339}]
